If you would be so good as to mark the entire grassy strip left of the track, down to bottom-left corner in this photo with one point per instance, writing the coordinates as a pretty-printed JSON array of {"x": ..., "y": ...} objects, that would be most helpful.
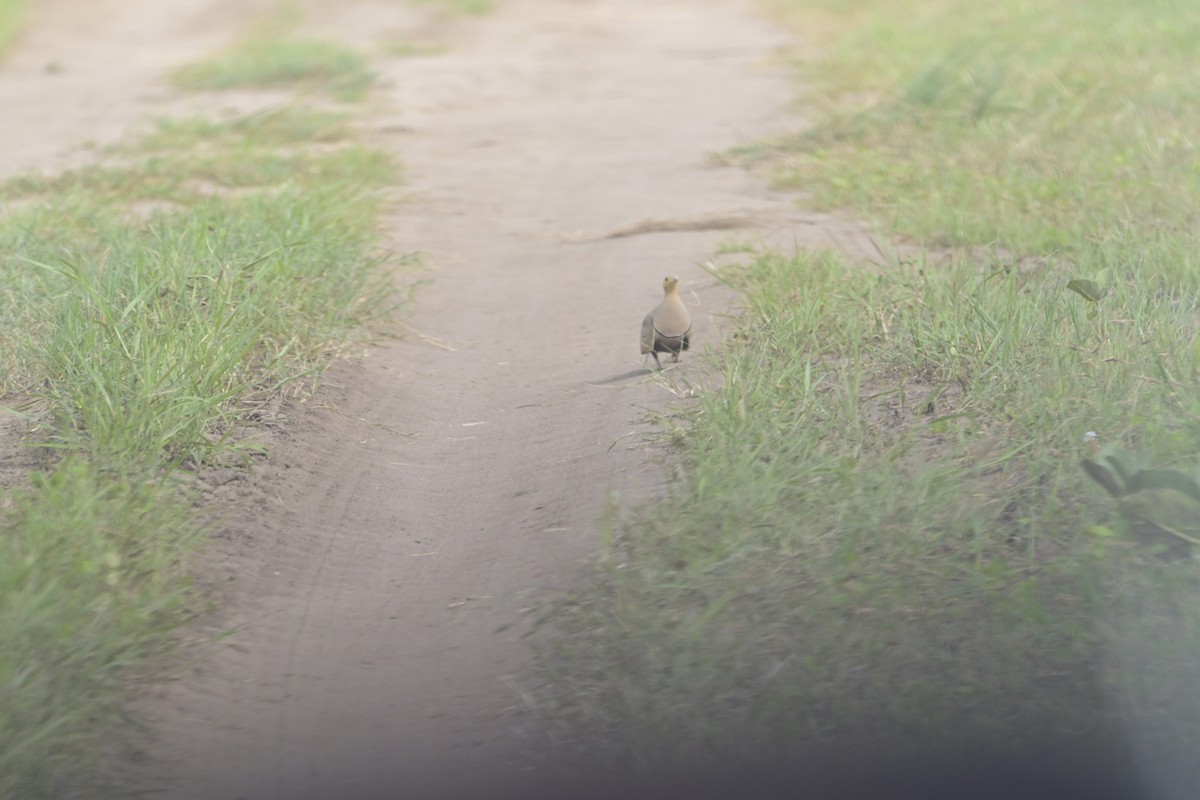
[{"x": 152, "y": 308}]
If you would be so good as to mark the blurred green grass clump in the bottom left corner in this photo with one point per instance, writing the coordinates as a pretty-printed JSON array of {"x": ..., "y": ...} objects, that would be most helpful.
[{"x": 92, "y": 585}]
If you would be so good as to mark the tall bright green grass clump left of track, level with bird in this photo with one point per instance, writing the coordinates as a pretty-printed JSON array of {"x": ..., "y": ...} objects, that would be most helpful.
[{"x": 251, "y": 292}]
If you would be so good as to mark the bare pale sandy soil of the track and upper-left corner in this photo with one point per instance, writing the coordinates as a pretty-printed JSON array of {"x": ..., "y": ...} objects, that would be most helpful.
[{"x": 419, "y": 510}]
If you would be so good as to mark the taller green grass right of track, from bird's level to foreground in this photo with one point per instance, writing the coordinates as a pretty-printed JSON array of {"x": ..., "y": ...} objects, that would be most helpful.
[{"x": 879, "y": 545}]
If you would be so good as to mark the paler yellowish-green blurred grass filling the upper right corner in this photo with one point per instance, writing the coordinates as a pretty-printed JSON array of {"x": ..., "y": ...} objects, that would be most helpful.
[{"x": 1041, "y": 133}]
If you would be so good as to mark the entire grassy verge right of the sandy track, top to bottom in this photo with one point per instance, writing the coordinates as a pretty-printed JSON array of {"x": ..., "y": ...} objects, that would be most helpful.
[{"x": 881, "y": 542}]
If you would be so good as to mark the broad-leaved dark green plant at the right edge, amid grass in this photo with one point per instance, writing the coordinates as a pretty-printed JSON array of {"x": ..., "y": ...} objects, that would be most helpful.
[{"x": 1162, "y": 507}]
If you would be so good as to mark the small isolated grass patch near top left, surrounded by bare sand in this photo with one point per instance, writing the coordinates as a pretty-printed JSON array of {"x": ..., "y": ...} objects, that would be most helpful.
[{"x": 268, "y": 63}]
